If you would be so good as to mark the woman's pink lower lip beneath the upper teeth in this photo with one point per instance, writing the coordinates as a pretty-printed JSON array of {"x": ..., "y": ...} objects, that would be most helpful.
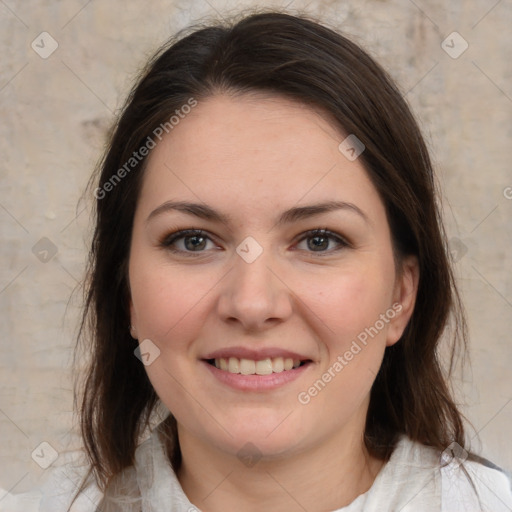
[{"x": 257, "y": 382}]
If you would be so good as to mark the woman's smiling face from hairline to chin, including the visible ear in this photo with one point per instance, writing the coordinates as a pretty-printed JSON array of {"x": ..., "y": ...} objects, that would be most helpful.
[{"x": 257, "y": 291}]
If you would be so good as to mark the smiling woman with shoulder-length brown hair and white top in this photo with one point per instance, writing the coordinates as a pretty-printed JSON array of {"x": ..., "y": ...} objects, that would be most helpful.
[{"x": 269, "y": 264}]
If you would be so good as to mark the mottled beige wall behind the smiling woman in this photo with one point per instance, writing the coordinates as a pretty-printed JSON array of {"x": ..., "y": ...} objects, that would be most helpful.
[{"x": 54, "y": 113}]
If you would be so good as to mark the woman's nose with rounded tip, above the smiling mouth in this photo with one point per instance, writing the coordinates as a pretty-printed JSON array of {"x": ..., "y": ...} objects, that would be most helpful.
[{"x": 254, "y": 295}]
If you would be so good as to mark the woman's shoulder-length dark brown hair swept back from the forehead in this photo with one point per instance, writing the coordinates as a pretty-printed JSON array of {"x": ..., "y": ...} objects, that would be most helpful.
[{"x": 303, "y": 60}]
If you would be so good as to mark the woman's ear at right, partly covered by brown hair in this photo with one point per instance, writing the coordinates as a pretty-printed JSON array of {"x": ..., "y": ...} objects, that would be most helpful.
[{"x": 404, "y": 298}]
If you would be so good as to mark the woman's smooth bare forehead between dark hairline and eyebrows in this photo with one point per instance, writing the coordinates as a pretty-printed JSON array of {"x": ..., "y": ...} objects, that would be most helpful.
[{"x": 254, "y": 153}]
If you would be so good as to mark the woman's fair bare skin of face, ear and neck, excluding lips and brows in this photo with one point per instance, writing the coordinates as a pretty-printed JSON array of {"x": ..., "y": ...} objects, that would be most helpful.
[{"x": 252, "y": 157}]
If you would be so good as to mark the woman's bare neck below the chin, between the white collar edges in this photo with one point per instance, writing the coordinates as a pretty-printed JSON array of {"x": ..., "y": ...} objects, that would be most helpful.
[{"x": 325, "y": 477}]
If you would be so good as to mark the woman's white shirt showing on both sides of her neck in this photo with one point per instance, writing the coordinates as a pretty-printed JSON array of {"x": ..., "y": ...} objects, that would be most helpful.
[{"x": 413, "y": 480}]
